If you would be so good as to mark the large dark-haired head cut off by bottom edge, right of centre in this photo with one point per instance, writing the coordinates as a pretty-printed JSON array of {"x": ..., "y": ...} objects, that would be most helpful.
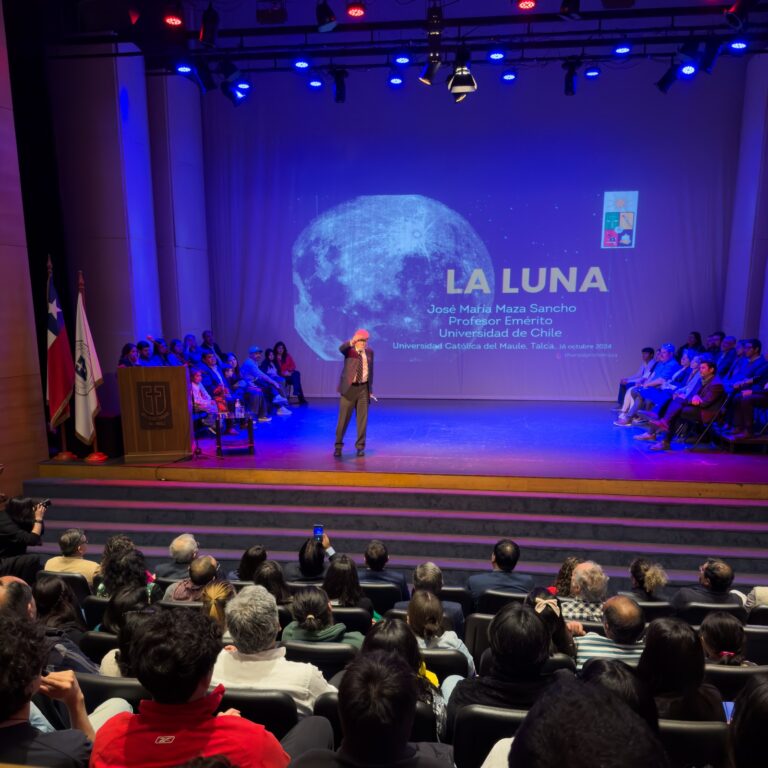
[{"x": 583, "y": 726}]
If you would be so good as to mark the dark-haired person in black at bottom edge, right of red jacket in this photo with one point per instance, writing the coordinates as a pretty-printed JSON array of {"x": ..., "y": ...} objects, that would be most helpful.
[{"x": 377, "y": 708}]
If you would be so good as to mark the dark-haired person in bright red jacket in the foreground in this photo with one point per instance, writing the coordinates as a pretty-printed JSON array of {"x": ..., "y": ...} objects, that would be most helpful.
[{"x": 173, "y": 655}]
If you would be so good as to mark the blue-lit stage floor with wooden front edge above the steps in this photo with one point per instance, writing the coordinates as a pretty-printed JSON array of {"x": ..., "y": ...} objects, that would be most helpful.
[{"x": 534, "y": 447}]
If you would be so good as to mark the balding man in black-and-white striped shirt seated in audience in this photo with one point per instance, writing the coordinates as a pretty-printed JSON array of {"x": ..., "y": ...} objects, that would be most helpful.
[{"x": 624, "y": 623}]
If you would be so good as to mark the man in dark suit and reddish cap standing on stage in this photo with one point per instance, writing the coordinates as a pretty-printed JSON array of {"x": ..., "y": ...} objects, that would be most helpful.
[{"x": 355, "y": 388}]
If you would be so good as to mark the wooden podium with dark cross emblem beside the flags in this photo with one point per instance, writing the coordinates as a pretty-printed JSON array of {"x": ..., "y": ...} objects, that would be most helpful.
[{"x": 156, "y": 413}]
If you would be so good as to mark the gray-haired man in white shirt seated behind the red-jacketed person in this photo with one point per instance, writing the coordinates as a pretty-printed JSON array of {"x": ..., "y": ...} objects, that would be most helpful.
[{"x": 255, "y": 663}]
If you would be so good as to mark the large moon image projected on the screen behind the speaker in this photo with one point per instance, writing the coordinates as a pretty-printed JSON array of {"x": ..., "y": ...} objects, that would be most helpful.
[{"x": 380, "y": 262}]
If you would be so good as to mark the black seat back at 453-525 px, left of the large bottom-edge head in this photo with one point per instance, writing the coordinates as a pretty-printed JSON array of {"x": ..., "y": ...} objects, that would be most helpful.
[{"x": 477, "y": 728}]
